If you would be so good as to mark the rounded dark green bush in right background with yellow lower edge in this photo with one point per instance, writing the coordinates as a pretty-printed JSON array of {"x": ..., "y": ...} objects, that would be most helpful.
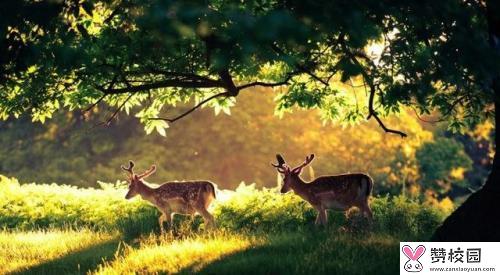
[{"x": 443, "y": 163}]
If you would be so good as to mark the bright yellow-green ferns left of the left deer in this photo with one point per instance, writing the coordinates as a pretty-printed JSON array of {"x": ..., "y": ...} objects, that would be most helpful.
[{"x": 32, "y": 206}]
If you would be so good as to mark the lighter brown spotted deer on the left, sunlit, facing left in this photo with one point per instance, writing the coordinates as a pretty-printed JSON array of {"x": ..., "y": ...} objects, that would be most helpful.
[{"x": 175, "y": 197}]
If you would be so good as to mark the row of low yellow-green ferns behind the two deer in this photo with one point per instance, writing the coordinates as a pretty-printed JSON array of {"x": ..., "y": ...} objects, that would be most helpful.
[{"x": 34, "y": 206}]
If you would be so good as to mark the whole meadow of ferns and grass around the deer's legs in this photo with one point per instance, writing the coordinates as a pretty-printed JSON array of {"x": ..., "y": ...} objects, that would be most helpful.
[{"x": 60, "y": 229}]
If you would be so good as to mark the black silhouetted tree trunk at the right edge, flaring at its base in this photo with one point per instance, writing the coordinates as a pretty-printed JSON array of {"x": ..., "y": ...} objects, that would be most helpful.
[{"x": 478, "y": 218}]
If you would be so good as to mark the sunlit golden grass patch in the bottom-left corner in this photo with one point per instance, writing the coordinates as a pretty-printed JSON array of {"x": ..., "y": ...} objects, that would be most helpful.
[{"x": 20, "y": 251}]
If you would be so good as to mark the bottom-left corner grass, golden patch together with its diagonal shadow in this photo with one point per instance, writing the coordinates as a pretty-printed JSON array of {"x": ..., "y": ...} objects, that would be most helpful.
[{"x": 67, "y": 251}]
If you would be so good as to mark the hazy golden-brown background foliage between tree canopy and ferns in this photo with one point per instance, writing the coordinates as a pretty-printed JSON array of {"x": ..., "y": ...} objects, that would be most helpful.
[{"x": 66, "y": 150}]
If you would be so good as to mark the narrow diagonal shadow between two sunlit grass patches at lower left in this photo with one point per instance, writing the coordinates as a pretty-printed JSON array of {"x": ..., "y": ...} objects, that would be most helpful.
[{"x": 76, "y": 262}]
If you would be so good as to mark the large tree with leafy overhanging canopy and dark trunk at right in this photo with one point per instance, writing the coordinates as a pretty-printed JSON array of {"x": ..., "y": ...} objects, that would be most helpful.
[{"x": 429, "y": 55}]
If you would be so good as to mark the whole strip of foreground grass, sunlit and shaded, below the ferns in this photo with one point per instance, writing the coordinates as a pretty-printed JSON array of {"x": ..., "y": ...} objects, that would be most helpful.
[{"x": 315, "y": 251}]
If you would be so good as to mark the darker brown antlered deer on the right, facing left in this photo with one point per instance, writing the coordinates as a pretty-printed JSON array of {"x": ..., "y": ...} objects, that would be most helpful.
[{"x": 335, "y": 192}]
